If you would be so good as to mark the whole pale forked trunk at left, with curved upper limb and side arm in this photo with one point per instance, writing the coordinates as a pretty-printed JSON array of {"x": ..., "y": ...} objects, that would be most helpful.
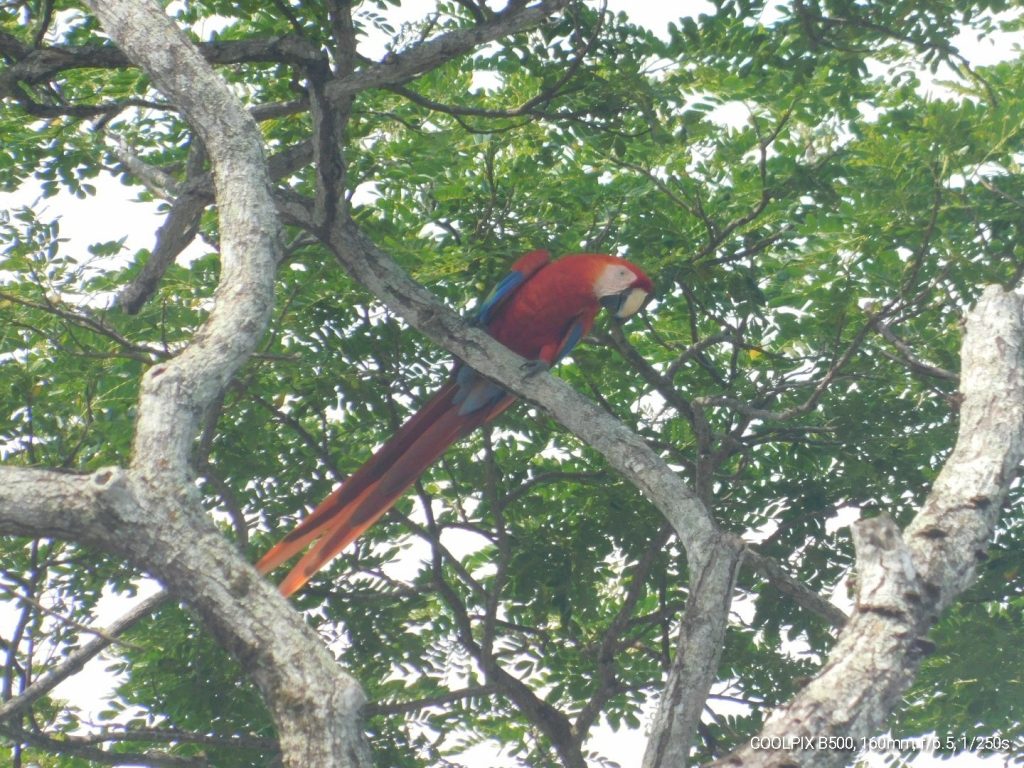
[{"x": 150, "y": 514}]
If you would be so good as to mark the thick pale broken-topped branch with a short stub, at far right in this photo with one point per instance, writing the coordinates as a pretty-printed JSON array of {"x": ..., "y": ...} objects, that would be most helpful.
[{"x": 906, "y": 581}]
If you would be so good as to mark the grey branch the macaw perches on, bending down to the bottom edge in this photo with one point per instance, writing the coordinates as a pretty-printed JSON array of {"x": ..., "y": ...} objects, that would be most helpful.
[{"x": 713, "y": 557}]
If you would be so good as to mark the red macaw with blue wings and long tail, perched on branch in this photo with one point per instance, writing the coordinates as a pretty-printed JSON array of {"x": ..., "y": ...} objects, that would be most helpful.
[{"x": 540, "y": 311}]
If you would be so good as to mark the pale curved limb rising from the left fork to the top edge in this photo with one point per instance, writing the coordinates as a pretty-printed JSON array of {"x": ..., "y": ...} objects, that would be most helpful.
[{"x": 176, "y": 396}]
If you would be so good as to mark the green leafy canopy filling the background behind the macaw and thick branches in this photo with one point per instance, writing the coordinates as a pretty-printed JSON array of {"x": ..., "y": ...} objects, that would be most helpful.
[{"x": 821, "y": 191}]
